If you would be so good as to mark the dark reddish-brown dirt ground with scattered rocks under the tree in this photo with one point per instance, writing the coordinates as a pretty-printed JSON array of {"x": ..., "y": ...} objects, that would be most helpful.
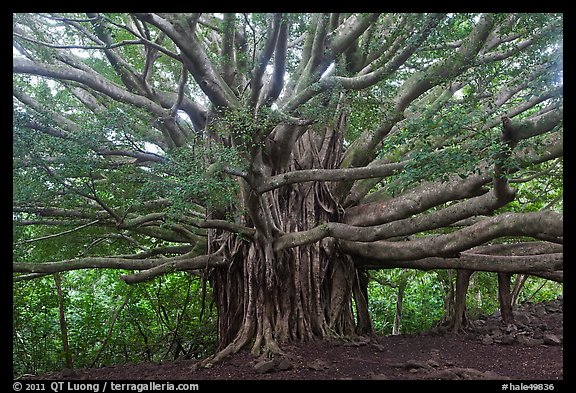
[{"x": 531, "y": 349}]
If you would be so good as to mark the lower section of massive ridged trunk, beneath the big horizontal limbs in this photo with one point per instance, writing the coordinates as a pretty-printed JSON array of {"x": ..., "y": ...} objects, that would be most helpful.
[{"x": 264, "y": 299}]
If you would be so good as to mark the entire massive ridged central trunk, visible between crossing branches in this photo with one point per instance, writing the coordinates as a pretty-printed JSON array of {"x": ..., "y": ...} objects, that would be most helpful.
[{"x": 265, "y": 298}]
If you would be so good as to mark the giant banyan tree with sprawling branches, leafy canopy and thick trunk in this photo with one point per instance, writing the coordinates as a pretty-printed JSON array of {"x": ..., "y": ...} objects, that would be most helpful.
[{"x": 281, "y": 157}]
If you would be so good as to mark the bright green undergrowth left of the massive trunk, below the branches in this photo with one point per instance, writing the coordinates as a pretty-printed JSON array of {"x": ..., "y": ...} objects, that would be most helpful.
[{"x": 109, "y": 323}]
